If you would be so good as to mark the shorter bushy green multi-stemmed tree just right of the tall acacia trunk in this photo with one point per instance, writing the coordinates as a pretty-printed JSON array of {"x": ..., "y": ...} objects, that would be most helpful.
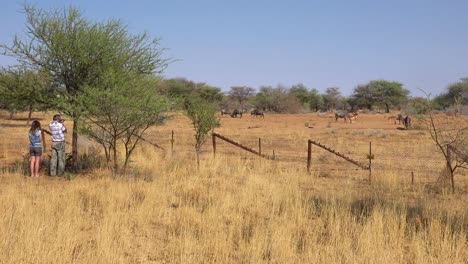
[{"x": 120, "y": 110}]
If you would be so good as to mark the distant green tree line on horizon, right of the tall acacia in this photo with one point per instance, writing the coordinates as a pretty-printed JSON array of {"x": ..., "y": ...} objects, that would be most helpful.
[{"x": 377, "y": 95}]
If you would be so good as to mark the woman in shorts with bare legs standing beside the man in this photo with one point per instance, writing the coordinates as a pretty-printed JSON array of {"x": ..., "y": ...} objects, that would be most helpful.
[{"x": 35, "y": 147}]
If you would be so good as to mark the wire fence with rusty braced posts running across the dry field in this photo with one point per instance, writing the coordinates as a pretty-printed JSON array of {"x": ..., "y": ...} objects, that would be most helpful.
[{"x": 408, "y": 158}]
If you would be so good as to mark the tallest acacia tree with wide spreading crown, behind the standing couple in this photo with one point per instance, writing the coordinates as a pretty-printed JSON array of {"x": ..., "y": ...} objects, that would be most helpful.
[{"x": 76, "y": 52}]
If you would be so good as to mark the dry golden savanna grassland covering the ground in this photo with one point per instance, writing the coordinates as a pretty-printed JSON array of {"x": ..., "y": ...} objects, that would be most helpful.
[{"x": 239, "y": 208}]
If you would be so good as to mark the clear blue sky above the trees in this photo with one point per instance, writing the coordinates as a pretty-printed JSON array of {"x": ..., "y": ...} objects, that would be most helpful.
[{"x": 420, "y": 43}]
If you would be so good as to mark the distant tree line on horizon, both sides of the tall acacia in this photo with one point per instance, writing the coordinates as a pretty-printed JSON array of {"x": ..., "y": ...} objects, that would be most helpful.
[{"x": 26, "y": 90}]
